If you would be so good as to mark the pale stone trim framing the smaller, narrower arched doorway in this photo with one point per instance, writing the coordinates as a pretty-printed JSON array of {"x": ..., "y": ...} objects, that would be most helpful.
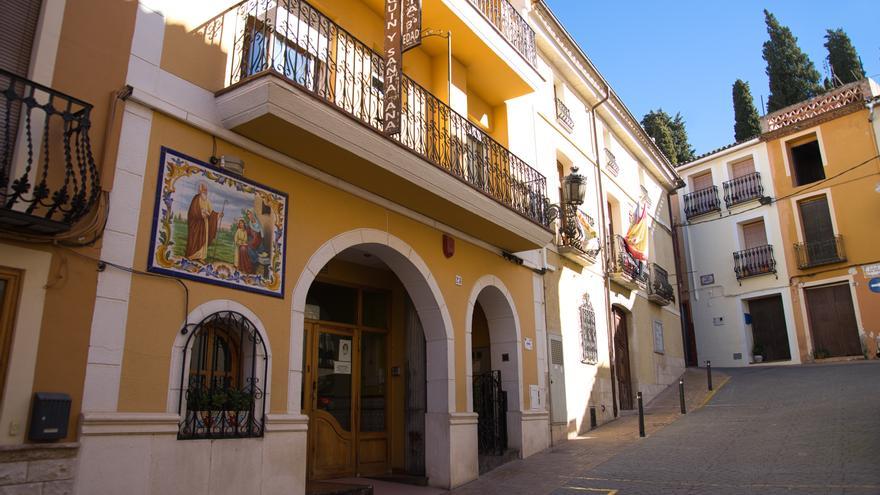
[{"x": 505, "y": 338}]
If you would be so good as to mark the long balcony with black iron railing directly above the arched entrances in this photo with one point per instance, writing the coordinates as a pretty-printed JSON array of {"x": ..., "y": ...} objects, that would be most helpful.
[{"x": 304, "y": 86}]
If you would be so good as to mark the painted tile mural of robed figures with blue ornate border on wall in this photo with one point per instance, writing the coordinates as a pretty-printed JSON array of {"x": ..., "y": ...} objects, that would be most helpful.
[{"x": 217, "y": 228}]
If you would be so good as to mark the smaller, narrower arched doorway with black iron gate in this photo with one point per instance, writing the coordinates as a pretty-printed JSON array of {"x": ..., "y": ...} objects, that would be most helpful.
[{"x": 495, "y": 372}]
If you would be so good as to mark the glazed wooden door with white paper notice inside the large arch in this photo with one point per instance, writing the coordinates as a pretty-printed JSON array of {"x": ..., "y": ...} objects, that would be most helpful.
[{"x": 332, "y": 404}]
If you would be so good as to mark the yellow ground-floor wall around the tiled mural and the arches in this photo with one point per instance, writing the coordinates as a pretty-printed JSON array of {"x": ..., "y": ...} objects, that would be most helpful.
[{"x": 317, "y": 213}]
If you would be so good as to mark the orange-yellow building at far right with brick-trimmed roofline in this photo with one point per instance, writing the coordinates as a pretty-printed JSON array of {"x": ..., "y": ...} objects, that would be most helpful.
[{"x": 824, "y": 158}]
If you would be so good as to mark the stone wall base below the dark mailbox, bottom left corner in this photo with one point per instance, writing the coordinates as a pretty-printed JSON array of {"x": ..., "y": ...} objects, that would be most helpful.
[{"x": 34, "y": 469}]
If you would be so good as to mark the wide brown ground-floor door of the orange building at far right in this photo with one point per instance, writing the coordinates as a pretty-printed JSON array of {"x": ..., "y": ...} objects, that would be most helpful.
[{"x": 833, "y": 321}]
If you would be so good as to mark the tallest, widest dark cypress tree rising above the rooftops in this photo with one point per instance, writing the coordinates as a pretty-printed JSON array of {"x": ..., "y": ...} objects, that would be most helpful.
[{"x": 793, "y": 77}]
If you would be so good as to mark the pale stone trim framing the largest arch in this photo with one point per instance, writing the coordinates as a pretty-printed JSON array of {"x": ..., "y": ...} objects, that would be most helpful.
[{"x": 424, "y": 292}]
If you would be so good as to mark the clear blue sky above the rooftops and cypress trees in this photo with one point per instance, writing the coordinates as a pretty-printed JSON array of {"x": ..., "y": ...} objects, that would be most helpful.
[{"x": 684, "y": 55}]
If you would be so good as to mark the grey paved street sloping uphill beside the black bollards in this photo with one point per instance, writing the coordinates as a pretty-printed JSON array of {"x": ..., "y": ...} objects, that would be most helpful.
[{"x": 812, "y": 429}]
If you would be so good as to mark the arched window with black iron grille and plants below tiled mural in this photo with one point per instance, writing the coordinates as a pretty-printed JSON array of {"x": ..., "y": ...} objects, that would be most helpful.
[{"x": 225, "y": 366}]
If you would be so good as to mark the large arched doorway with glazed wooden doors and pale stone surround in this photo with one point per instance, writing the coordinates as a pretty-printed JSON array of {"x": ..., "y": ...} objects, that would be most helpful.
[{"x": 375, "y": 362}]
